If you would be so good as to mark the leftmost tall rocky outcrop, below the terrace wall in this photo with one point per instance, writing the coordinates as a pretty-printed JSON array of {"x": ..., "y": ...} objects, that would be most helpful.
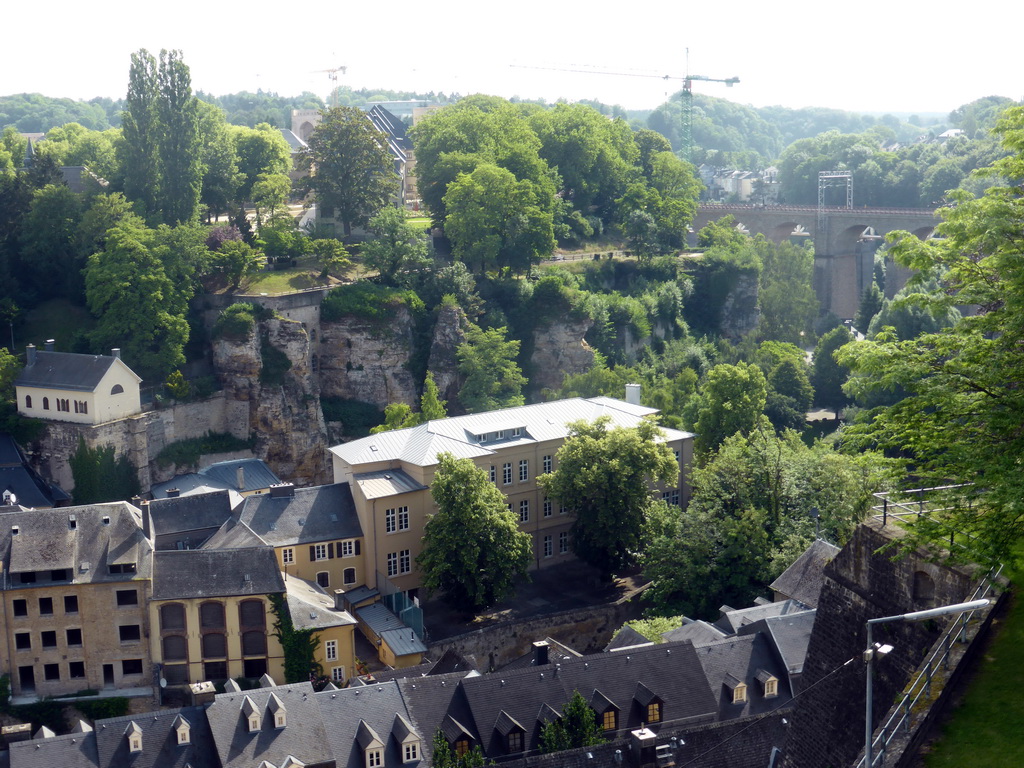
[{"x": 286, "y": 418}]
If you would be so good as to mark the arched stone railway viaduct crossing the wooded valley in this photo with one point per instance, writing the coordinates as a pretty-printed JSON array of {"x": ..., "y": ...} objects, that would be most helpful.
[{"x": 844, "y": 249}]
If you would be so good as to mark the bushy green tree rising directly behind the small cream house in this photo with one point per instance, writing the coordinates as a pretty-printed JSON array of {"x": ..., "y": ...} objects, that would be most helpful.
[{"x": 130, "y": 292}]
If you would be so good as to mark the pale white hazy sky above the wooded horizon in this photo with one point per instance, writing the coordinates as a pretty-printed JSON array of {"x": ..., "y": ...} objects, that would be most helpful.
[{"x": 862, "y": 56}]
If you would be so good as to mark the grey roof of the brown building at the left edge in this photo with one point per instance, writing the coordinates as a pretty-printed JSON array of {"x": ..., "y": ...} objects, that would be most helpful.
[{"x": 103, "y": 535}]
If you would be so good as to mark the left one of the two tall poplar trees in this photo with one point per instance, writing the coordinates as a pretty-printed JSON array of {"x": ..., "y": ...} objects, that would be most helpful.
[{"x": 141, "y": 130}]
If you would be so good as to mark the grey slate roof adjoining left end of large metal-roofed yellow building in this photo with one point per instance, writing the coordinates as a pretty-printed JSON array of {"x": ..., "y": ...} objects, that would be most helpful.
[{"x": 315, "y": 515}]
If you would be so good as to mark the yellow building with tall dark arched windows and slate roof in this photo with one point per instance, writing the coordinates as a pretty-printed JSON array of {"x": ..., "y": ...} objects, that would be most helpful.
[{"x": 211, "y": 616}]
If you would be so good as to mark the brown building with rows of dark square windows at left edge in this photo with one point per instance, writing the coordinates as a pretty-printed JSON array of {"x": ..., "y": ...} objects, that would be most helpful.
[{"x": 76, "y": 582}]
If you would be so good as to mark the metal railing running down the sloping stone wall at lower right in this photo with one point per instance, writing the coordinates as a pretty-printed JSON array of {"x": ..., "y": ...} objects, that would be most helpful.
[{"x": 919, "y": 693}]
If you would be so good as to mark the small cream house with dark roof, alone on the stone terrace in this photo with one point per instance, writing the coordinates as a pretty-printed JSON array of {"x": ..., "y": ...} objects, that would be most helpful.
[{"x": 80, "y": 389}]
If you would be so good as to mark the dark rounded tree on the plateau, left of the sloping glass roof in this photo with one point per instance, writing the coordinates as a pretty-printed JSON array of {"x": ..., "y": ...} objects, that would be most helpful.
[{"x": 350, "y": 167}]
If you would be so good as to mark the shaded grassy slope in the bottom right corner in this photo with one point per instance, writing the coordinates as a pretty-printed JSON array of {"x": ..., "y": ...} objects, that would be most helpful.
[{"x": 985, "y": 731}]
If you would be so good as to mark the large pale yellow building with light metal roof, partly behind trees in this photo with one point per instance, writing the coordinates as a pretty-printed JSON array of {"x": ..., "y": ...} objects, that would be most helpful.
[{"x": 390, "y": 476}]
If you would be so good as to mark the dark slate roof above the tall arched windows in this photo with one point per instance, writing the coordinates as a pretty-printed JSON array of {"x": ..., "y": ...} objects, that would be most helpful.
[{"x": 201, "y": 573}]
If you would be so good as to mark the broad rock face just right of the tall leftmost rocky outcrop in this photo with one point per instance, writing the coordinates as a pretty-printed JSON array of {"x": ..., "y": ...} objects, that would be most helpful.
[{"x": 368, "y": 362}]
